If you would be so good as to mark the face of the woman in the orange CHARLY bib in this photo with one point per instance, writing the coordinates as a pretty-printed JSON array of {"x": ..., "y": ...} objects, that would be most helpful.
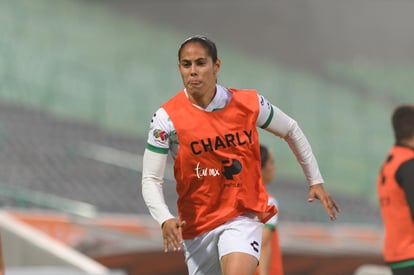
[{"x": 198, "y": 72}]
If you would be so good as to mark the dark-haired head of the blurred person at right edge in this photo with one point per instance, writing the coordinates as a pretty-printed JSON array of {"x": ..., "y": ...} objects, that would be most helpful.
[{"x": 403, "y": 123}]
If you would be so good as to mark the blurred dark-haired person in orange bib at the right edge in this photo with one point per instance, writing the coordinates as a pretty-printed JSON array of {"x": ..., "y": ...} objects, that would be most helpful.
[{"x": 396, "y": 194}]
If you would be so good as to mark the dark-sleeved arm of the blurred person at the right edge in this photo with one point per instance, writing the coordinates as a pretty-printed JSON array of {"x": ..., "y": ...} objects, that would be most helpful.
[{"x": 405, "y": 178}]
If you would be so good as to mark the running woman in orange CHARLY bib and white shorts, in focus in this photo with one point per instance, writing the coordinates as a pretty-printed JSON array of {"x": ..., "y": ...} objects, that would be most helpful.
[{"x": 211, "y": 133}]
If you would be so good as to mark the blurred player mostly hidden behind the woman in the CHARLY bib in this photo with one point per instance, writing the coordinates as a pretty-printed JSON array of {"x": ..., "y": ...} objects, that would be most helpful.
[{"x": 271, "y": 262}]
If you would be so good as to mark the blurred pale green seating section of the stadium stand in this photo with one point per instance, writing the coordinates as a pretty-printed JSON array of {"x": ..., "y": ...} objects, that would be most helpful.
[{"x": 103, "y": 88}]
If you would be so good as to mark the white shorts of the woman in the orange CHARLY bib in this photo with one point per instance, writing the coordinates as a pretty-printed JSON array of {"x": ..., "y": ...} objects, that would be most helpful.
[{"x": 204, "y": 252}]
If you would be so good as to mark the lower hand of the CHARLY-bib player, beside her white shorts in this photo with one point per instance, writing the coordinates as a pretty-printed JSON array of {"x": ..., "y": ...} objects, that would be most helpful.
[{"x": 171, "y": 233}]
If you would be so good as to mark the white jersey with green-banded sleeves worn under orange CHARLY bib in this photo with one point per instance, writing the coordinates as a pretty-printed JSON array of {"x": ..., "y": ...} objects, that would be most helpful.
[{"x": 162, "y": 138}]
